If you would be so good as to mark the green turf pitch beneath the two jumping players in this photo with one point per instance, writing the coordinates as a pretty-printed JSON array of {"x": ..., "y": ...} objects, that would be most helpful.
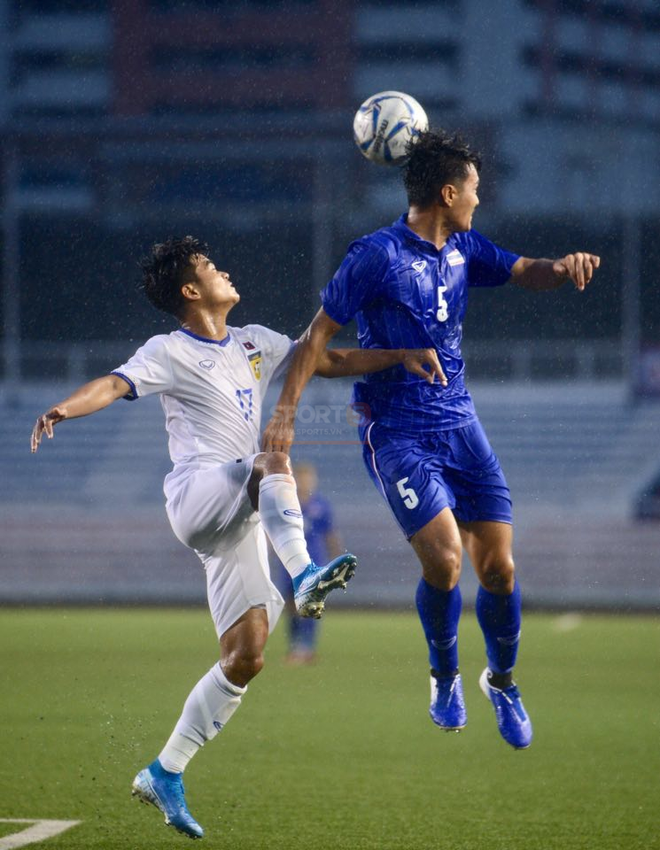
[{"x": 340, "y": 755}]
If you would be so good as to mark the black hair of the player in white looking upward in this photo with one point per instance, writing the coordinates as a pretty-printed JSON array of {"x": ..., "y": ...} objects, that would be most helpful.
[{"x": 167, "y": 268}]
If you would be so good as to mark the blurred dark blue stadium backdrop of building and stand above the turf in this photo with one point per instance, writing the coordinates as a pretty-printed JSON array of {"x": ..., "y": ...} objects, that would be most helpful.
[{"x": 124, "y": 122}]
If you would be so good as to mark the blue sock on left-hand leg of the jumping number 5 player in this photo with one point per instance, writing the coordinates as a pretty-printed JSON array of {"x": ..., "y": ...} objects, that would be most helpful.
[{"x": 440, "y": 611}]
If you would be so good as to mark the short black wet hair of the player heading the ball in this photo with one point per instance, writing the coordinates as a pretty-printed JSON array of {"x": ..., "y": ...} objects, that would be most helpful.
[{"x": 434, "y": 159}]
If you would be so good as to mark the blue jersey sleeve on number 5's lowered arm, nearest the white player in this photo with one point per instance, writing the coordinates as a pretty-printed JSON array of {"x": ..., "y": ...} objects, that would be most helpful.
[{"x": 356, "y": 281}]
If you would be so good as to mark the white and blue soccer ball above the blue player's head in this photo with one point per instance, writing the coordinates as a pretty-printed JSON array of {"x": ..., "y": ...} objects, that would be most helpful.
[{"x": 384, "y": 125}]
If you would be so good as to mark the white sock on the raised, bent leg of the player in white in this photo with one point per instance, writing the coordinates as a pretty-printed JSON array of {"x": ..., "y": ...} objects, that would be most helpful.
[{"x": 279, "y": 510}]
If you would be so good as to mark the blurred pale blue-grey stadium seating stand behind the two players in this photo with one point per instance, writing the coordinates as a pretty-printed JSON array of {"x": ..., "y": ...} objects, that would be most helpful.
[{"x": 84, "y": 520}]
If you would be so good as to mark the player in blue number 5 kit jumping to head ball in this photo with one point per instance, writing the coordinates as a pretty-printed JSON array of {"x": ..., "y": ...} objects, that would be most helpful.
[{"x": 424, "y": 448}]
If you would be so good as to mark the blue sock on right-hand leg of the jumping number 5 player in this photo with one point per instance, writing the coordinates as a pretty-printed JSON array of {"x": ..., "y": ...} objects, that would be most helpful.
[{"x": 499, "y": 618}]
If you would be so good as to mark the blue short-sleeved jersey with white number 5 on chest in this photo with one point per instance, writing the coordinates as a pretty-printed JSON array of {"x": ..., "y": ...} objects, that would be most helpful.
[{"x": 405, "y": 293}]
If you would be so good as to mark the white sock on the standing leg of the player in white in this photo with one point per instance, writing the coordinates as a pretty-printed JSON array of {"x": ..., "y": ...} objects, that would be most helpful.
[{"x": 208, "y": 708}]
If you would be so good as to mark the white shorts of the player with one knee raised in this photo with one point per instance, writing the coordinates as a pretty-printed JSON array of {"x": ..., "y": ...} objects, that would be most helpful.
[{"x": 210, "y": 511}]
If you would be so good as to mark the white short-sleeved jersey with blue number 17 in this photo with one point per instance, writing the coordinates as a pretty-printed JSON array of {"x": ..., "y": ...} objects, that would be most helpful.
[{"x": 211, "y": 392}]
